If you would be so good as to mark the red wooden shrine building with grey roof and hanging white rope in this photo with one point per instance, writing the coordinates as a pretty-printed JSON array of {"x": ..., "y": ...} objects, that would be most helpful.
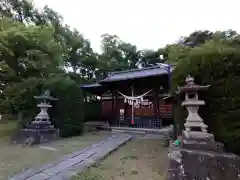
[{"x": 134, "y": 98}]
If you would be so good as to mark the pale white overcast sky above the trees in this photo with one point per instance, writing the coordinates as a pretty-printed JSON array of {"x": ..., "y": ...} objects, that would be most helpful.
[{"x": 149, "y": 24}]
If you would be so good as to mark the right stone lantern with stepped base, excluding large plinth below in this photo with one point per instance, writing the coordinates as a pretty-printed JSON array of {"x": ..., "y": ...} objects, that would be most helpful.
[{"x": 195, "y": 134}]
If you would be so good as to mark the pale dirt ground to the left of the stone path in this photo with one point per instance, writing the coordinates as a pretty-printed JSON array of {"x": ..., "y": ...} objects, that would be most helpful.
[{"x": 14, "y": 158}]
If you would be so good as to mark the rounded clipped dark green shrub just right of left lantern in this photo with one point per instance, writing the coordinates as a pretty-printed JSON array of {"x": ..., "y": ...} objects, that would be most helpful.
[{"x": 68, "y": 112}]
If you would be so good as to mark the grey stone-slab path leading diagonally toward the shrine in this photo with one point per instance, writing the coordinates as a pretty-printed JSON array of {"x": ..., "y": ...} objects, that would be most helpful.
[{"x": 71, "y": 164}]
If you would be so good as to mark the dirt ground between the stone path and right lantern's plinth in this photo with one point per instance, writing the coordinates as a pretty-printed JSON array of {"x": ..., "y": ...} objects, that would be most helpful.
[{"x": 137, "y": 160}]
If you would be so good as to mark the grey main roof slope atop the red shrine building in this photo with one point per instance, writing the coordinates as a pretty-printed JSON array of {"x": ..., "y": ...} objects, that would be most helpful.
[{"x": 135, "y": 73}]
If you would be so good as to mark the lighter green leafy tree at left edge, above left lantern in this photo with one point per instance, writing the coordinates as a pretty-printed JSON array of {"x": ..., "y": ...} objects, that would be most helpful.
[{"x": 26, "y": 52}]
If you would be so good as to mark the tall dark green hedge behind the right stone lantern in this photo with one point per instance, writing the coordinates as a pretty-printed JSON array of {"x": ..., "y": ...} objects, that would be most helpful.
[{"x": 216, "y": 64}]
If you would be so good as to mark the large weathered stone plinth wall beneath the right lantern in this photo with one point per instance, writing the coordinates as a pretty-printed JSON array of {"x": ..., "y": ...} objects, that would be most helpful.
[{"x": 188, "y": 164}]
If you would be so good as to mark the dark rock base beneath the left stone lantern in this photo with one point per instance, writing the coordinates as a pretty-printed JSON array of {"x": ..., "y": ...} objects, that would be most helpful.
[{"x": 30, "y": 137}]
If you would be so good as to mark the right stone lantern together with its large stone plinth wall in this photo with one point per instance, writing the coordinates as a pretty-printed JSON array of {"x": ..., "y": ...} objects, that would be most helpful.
[{"x": 199, "y": 156}]
